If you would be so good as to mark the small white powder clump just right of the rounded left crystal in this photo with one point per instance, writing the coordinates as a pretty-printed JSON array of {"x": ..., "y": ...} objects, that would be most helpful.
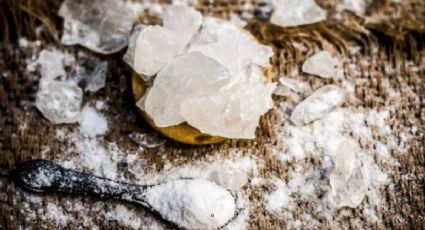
[{"x": 92, "y": 123}]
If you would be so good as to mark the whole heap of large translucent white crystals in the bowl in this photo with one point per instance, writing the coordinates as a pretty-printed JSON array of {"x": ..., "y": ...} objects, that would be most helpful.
[{"x": 205, "y": 71}]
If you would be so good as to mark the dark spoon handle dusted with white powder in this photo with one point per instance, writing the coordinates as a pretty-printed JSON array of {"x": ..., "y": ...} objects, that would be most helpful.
[{"x": 46, "y": 176}]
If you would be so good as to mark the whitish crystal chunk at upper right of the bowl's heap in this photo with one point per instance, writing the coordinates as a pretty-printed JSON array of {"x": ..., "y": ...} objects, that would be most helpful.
[{"x": 226, "y": 43}]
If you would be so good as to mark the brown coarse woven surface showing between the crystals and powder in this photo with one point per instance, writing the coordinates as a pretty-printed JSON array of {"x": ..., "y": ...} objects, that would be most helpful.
[{"x": 391, "y": 37}]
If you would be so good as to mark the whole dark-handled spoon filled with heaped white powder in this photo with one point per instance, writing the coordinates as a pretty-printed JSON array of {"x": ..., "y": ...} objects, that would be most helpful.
[{"x": 171, "y": 200}]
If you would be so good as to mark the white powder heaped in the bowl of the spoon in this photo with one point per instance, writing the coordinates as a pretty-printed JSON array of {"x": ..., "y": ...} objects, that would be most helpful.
[{"x": 192, "y": 204}]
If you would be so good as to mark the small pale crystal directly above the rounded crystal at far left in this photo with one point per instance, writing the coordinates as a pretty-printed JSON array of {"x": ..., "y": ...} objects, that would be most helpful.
[{"x": 51, "y": 65}]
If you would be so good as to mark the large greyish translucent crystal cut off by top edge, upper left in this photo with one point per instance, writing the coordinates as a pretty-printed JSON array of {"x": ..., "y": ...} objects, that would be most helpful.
[{"x": 102, "y": 26}]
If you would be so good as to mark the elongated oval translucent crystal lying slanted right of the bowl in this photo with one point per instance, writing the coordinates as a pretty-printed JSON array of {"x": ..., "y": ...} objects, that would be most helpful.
[{"x": 318, "y": 105}]
